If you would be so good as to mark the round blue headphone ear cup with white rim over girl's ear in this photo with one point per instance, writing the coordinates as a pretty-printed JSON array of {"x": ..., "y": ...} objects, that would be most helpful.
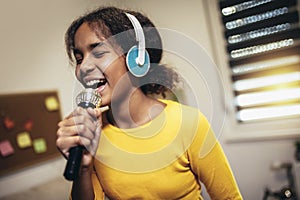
[{"x": 133, "y": 67}]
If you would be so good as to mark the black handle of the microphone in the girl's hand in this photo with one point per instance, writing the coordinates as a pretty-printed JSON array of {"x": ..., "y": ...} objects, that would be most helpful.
[{"x": 73, "y": 164}]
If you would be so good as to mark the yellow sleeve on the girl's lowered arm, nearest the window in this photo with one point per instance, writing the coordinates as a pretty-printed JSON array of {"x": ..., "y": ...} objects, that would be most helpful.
[{"x": 210, "y": 164}]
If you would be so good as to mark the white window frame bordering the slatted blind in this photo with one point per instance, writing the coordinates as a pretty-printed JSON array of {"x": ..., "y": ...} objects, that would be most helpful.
[{"x": 233, "y": 130}]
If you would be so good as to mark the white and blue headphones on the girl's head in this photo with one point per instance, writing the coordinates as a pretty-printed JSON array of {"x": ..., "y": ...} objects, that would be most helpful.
[{"x": 137, "y": 59}]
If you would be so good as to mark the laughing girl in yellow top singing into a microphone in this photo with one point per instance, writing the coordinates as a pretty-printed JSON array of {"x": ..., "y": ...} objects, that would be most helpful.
[{"x": 142, "y": 147}]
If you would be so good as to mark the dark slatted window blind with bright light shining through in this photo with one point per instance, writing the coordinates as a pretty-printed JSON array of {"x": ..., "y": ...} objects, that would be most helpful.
[{"x": 263, "y": 45}]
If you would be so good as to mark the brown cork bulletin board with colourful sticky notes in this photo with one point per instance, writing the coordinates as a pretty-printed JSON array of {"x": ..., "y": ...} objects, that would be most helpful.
[{"x": 28, "y": 125}]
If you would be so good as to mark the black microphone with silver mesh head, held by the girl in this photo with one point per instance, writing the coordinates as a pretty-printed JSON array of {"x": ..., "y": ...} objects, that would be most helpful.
[{"x": 88, "y": 98}]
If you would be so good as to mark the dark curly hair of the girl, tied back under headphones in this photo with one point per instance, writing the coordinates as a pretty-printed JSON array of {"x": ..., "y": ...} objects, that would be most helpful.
[{"x": 111, "y": 22}]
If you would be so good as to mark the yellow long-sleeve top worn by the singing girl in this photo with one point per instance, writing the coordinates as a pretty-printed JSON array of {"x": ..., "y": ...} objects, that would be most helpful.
[{"x": 163, "y": 159}]
